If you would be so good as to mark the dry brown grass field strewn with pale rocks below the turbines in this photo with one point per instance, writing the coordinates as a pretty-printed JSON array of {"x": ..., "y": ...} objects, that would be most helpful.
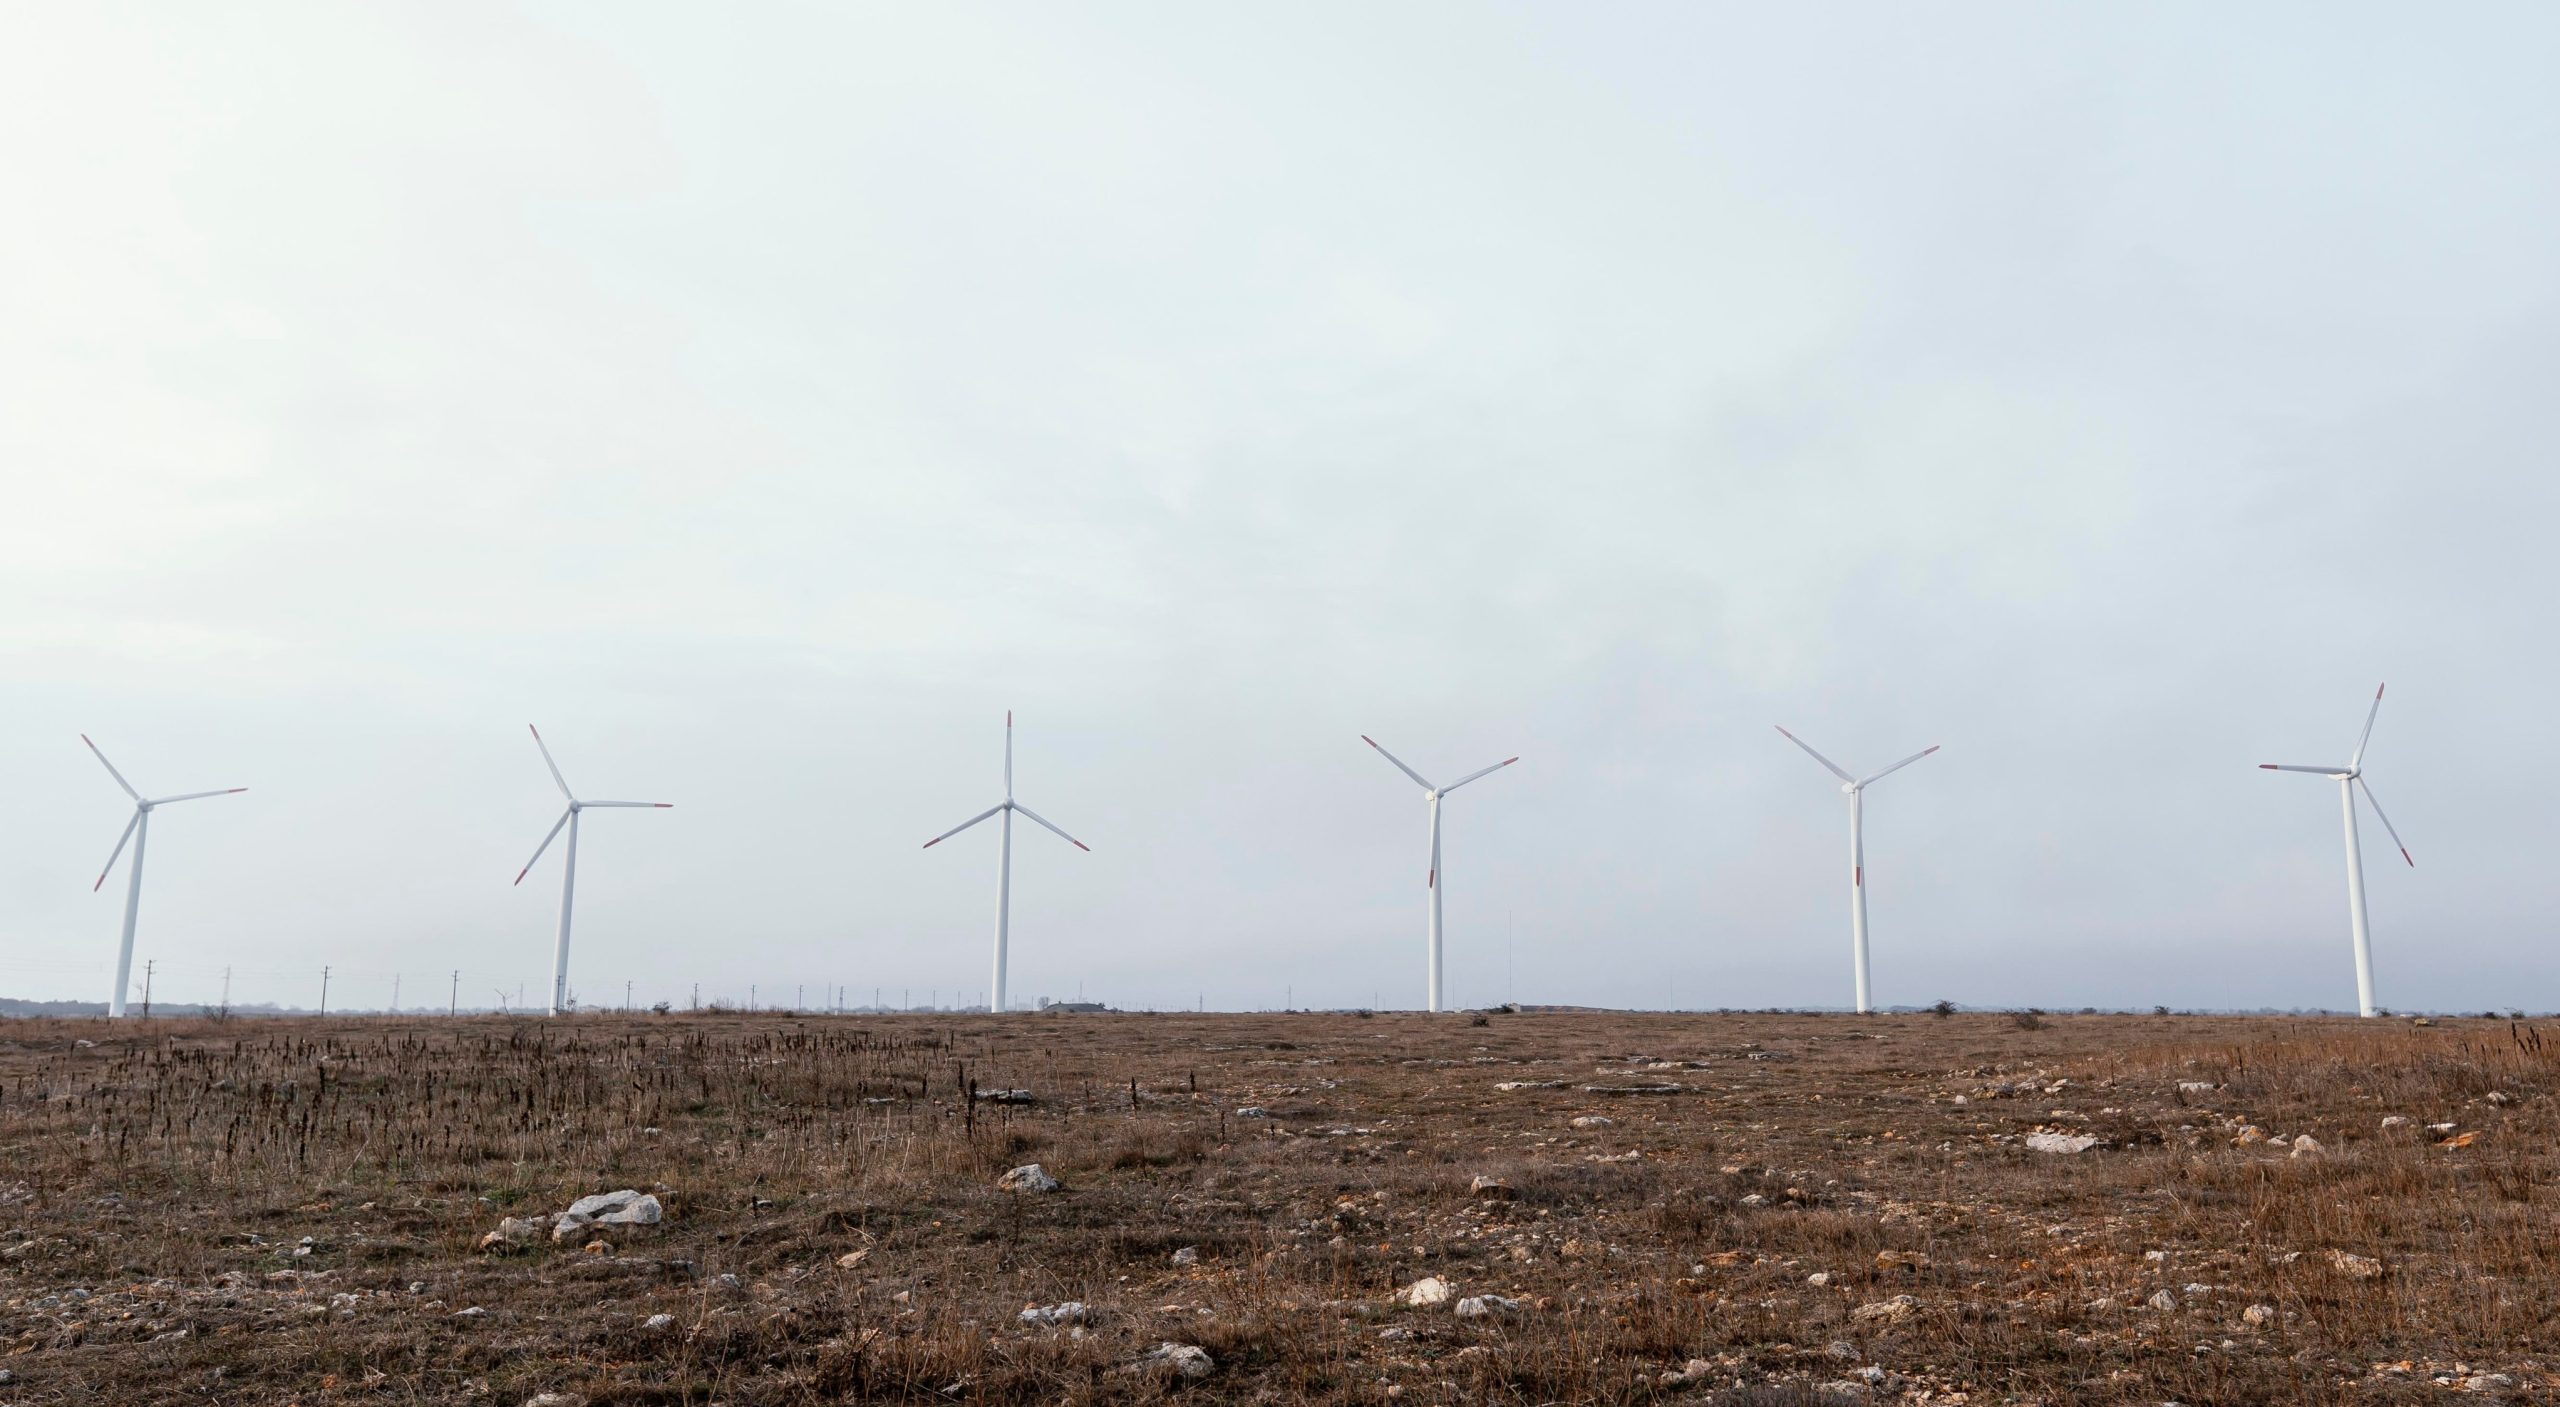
[{"x": 1681, "y": 1209}]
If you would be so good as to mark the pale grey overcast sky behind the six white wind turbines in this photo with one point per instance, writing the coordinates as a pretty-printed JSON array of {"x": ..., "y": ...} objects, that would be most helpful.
[{"x": 764, "y": 403}]
